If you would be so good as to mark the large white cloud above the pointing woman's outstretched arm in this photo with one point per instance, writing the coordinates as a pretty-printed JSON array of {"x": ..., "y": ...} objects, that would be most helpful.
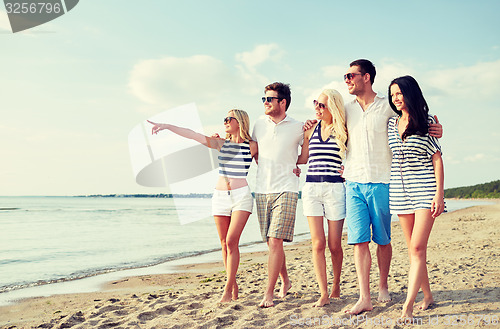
[{"x": 209, "y": 82}]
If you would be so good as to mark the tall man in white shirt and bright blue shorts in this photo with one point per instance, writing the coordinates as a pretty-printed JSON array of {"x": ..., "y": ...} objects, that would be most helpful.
[{"x": 367, "y": 174}]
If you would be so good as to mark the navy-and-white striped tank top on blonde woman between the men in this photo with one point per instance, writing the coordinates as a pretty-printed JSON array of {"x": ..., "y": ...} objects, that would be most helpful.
[{"x": 324, "y": 159}]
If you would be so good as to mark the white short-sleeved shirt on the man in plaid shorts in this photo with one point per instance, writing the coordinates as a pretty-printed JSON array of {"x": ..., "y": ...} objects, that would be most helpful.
[{"x": 278, "y": 151}]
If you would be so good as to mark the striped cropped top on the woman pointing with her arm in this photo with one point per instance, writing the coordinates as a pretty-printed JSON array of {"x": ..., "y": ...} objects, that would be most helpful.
[{"x": 234, "y": 159}]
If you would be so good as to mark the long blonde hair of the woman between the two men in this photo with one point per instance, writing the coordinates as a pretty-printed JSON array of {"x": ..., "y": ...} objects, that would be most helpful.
[{"x": 338, "y": 127}]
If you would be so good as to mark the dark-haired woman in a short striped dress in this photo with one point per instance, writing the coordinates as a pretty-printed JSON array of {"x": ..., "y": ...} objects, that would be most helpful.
[{"x": 416, "y": 186}]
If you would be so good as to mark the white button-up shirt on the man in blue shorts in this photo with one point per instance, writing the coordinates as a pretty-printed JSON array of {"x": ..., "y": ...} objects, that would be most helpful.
[{"x": 368, "y": 158}]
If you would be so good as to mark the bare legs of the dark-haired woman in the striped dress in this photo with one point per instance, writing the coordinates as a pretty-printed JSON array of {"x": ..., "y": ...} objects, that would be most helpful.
[{"x": 421, "y": 224}]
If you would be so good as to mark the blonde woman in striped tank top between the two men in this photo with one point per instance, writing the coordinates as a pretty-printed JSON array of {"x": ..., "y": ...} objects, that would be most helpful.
[{"x": 323, "y": 195}]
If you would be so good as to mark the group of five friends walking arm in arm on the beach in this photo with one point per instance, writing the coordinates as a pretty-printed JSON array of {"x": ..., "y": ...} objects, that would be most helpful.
[{"x": 367, "y": 158}]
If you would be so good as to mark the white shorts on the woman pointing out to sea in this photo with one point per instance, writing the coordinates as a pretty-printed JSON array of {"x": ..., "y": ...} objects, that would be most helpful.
[{"x": 225, "y": 202}]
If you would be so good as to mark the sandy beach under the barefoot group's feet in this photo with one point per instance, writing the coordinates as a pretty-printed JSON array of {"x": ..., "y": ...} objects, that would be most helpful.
[{"x": 463, "y": 264}]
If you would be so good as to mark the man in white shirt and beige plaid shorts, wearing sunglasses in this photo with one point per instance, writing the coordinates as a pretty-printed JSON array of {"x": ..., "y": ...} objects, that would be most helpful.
[{"x": 276, "y": 192}]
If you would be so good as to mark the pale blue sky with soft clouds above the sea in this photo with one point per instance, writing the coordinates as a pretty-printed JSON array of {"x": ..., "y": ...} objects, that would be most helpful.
[{"x": 71, "y": 90}]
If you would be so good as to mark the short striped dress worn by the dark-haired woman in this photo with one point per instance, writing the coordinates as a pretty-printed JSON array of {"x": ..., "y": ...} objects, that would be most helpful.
[{"x": 413, "y": 183}]
